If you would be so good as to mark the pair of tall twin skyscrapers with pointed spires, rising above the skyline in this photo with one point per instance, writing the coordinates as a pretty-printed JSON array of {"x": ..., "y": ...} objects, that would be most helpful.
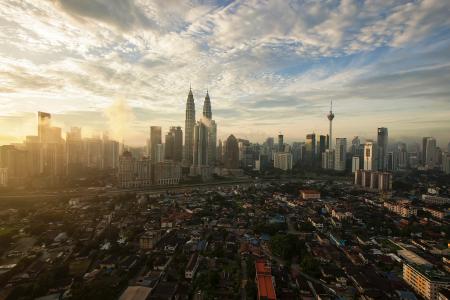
[{"x": 200, "y": 138}]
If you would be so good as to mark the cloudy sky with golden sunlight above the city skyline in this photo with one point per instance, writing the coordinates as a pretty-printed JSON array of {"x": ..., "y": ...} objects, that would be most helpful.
[{"x": 270, "y": 66}]
